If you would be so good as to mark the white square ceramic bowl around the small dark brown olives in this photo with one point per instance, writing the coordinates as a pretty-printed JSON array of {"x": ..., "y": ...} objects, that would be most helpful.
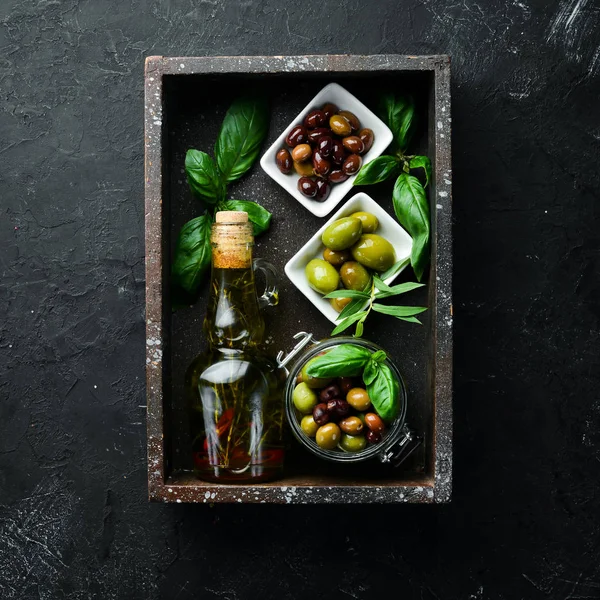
[{"x": 345, "y": 101}]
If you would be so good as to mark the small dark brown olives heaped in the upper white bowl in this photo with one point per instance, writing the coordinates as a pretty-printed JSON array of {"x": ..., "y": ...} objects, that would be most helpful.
[{"x": 326, "y": 148}]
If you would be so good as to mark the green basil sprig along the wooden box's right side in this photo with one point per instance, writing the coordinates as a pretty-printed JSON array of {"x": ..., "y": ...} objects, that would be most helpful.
[{"x": 409, "y": 198}]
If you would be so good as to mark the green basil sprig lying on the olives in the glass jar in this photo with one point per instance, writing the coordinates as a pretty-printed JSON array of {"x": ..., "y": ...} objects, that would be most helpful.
[{"x": 348, "y": 360}]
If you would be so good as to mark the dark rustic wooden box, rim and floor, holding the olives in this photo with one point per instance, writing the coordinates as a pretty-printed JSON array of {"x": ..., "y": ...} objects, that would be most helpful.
[{"x": 186, "y": 99}]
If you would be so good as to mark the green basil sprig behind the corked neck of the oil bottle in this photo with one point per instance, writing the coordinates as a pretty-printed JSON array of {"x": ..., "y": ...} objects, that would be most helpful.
[{"x": 242, "y": 133}]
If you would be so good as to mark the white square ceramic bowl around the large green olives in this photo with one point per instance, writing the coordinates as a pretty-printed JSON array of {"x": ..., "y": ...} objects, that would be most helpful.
[{"x": 389, "y": 228}]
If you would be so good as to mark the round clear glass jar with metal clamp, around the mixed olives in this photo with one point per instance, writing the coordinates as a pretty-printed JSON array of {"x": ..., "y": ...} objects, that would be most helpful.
[{"x": 399, "y": 441}]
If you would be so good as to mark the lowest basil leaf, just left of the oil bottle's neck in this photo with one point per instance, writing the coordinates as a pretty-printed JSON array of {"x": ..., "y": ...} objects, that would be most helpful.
[{"x": 192, "y": 253}]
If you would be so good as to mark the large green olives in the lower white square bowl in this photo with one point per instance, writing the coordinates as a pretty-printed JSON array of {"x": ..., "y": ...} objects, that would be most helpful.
[{"x": 353, "y": 252}]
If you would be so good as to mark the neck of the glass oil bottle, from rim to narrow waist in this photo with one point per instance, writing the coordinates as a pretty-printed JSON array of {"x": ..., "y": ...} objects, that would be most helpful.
[{"x": 233, "y": 319}]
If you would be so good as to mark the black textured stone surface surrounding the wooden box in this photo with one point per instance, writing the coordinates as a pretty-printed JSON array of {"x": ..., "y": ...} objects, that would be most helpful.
[{"x": 75, "y": 522}]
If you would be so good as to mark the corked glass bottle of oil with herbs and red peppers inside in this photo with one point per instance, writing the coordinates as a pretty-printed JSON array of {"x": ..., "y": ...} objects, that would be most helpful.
[{"x": 235, "y": 390}]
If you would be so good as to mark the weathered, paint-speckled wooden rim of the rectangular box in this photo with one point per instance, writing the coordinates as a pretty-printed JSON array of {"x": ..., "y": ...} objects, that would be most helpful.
[{"x": 436, "y": 487}]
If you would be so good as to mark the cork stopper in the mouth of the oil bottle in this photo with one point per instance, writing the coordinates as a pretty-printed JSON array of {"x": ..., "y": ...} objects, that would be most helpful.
[{"x": 232, "y": 240}]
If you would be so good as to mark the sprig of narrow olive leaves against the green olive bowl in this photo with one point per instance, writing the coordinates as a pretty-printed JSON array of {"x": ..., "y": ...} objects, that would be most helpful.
[{"x": 354, "y": 312}]
